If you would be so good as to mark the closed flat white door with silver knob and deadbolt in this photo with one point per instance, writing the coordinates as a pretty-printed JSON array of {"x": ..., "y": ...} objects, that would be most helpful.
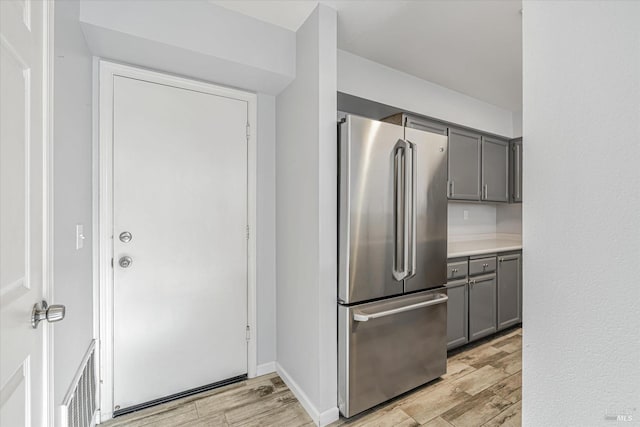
[{"x": 179, "y": 240}]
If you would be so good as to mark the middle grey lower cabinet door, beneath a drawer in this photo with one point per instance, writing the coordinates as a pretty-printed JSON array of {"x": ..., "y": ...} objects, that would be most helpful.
[{"x": 482, "y": 306}]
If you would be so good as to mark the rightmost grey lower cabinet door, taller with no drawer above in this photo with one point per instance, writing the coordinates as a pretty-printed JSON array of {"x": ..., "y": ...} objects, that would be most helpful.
[{"x": 509, "y": 290}]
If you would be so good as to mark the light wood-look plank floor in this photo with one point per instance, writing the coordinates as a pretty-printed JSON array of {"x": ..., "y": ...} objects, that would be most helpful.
[{"x": 482, "y": 387}]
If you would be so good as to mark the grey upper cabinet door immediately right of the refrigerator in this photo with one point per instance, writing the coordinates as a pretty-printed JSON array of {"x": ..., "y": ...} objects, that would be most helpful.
[{"x": 464, "y": 165}]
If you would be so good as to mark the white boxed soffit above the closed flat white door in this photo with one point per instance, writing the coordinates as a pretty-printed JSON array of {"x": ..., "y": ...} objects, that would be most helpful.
[{"x": 194, "y": 38}]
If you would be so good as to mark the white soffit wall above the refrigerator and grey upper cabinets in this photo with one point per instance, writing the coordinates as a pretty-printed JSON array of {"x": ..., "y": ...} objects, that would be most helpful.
[{"x": 370, "y": 80}]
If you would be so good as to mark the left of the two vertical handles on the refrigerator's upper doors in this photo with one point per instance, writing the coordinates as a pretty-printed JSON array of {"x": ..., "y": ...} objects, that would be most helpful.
[{"x": 401, "y": 211}]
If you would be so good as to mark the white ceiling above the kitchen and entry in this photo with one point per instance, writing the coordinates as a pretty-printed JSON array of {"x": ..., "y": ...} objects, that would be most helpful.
[{"x": 471, "y": 46}]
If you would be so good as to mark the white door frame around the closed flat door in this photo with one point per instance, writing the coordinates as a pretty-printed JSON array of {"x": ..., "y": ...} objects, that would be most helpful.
[{"x": 104, "y": 73}]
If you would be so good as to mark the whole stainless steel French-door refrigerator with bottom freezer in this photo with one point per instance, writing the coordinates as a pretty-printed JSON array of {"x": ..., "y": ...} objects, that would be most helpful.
[{"x": 392, "y": 261}]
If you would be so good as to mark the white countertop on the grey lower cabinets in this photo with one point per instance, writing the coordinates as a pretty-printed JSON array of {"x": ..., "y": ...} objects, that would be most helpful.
[{"x": 461, "y": 246}]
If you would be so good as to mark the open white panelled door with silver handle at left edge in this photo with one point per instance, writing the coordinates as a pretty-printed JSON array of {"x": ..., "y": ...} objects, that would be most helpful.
[{"x": 23, "y": 251}]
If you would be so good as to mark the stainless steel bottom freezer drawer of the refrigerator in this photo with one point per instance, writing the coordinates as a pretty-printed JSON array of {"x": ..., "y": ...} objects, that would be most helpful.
[{"x": 389, "y": 347}]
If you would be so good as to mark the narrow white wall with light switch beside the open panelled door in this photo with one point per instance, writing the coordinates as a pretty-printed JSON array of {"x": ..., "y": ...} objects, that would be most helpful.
[{"x": 72, "y": 156}]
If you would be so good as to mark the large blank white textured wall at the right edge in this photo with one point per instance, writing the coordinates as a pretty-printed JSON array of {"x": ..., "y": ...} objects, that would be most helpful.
[{"x": 581, "y": 223}]
